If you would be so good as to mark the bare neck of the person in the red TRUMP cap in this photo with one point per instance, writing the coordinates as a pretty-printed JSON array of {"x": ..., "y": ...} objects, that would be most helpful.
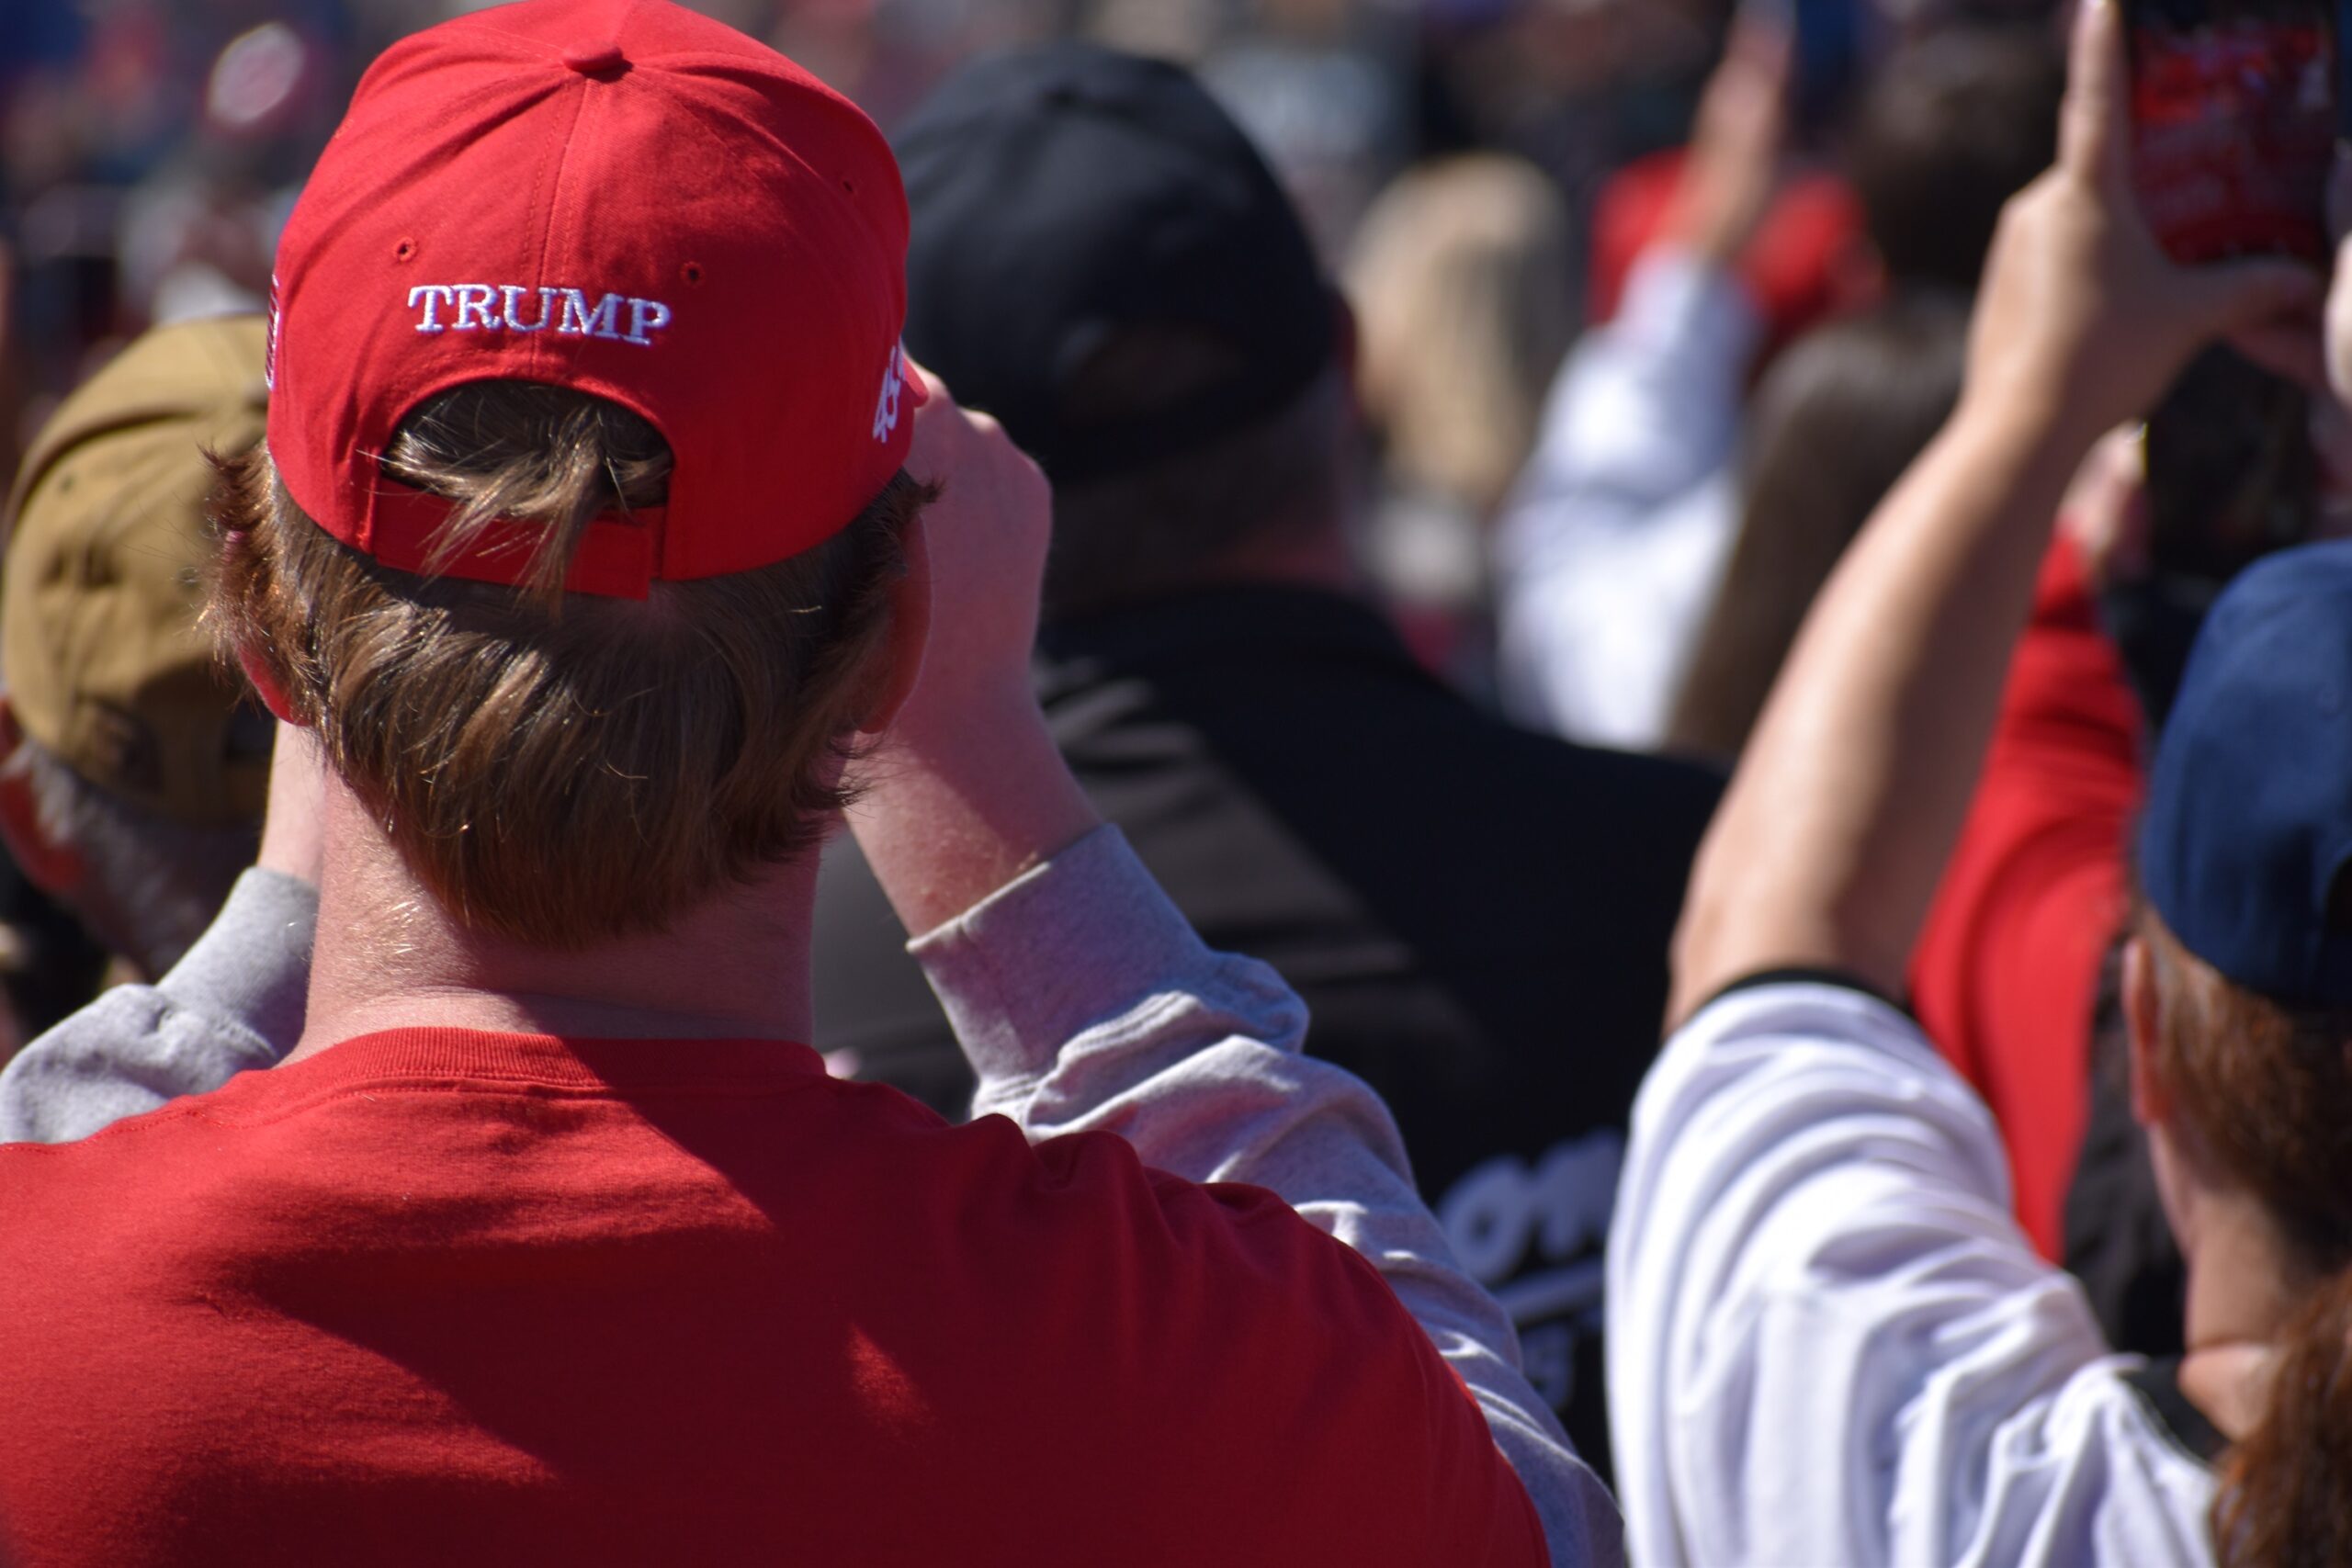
[{"x": 389, "y": 956}]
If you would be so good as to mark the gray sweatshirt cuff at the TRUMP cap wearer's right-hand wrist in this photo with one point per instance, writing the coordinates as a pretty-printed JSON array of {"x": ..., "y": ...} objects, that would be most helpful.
[{"x": 1062, "y": 949}]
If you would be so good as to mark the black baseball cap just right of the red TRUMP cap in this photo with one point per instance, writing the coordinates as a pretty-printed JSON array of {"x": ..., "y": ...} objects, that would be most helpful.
[{"x": 1104, "y": 262}]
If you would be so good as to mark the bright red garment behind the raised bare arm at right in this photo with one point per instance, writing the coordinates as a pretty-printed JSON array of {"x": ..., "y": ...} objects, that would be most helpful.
[{"x": 2007, "y": 972}]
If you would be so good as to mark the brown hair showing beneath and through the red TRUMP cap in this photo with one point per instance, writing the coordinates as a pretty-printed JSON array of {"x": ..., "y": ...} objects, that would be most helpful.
[{"x": 554, "y": 768}]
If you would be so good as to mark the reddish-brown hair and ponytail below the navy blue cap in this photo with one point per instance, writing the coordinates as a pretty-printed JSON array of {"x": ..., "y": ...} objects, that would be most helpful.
[{"x": 2266, "y": 1092}]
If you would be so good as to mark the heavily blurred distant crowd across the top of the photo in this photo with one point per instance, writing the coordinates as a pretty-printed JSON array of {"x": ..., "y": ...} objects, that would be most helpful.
[{"x": 1481, "y": 175}]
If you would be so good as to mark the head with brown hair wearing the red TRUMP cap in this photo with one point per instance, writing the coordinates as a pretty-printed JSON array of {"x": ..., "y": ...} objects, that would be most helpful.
[{"x": 584, "y": 495}]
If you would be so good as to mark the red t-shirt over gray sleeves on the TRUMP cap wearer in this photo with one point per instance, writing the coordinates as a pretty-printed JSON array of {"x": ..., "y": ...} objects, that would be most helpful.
[{"x": 483, "y": 1299}]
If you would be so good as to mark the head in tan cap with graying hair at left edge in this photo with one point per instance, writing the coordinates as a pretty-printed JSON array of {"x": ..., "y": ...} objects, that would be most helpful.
[{"x": 138, "y": 775}]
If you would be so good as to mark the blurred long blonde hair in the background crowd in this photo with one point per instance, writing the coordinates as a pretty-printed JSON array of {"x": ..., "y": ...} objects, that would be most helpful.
[{"x": 1462, "y": 286}]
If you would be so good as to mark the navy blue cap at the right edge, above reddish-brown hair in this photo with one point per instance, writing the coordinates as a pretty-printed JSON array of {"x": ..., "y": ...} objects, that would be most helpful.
[{"x": 2250, "y": 805}]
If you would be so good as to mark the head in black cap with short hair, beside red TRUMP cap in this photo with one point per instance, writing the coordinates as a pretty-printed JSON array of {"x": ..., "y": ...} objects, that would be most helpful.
[{"x": 1109, "y": 267}]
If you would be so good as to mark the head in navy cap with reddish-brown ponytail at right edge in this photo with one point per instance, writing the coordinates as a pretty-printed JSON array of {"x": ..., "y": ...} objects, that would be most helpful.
[{"x": 2240, "y": 989}]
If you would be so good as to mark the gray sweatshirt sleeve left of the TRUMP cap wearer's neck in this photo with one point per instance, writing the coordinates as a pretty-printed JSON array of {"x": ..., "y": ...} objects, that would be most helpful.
[{"x": 234, "y": 1003}]
